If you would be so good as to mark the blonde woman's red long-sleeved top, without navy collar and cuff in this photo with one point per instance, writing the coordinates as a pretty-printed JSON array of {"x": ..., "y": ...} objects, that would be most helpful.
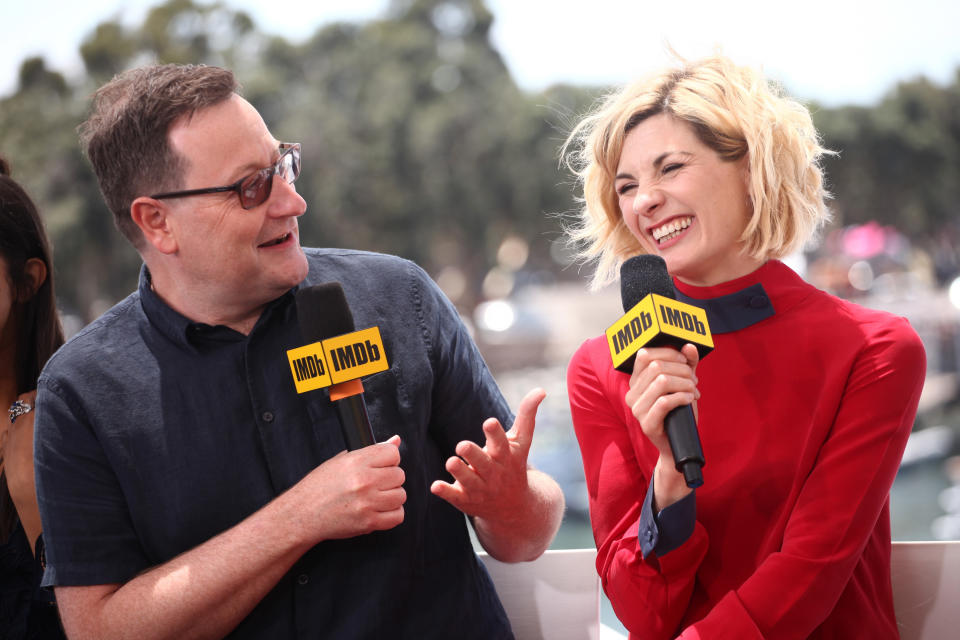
[{"x": 803, "y": 419}]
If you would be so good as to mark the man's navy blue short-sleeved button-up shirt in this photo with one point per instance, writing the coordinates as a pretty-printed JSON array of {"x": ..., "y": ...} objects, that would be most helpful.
[{"x": 155, "y": 434}]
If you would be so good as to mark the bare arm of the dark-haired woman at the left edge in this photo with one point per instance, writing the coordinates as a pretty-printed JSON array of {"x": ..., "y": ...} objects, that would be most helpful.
[{"x": 18, "y": 466}]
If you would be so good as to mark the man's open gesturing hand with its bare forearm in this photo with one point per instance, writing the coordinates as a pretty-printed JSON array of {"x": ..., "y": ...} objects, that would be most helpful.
[{"x": 515, "y": 510}]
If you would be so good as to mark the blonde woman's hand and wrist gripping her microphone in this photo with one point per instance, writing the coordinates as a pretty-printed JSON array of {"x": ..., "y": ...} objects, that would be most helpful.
[{"x": 662, "y": 380}]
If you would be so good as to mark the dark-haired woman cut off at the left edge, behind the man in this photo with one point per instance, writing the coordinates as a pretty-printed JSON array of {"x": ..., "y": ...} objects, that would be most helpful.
[{"x": 30, "y": 332}]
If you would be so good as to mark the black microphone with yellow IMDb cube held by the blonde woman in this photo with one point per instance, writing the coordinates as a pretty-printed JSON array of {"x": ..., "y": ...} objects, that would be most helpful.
[{"x": 655, "y": 318}]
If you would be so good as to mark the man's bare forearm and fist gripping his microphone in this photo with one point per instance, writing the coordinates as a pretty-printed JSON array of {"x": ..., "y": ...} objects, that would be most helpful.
[{"x": 207, "y": 591}]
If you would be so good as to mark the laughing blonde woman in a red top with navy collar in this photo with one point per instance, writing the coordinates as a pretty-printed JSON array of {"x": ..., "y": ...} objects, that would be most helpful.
[{"x": 807, "y": 400}]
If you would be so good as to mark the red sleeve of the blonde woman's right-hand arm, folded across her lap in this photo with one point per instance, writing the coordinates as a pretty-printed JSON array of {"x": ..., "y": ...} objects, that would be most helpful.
[{"x": 794, "y": 590}]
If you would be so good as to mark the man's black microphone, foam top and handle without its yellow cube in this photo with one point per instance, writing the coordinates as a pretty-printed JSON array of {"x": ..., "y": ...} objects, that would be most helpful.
[{"x": 323, "y": 313}]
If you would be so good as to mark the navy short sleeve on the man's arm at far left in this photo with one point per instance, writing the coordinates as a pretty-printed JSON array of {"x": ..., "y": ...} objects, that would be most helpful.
[{"x": 88, "y": 534}]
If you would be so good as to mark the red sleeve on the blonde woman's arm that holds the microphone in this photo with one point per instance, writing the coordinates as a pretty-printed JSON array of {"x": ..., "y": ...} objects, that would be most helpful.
[{"x": 649, "y": 595}]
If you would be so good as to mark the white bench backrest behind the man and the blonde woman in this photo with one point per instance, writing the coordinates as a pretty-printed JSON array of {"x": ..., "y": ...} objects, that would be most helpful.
[{"x": 557, "y": 596}]
